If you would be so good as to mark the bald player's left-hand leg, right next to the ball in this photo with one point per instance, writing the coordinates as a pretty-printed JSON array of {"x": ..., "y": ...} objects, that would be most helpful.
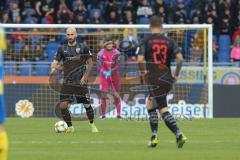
[{"x": 65, "y": 100}]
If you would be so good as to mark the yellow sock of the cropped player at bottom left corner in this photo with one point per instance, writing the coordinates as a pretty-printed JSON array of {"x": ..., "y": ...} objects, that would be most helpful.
[{"x": 3, "y": 145}]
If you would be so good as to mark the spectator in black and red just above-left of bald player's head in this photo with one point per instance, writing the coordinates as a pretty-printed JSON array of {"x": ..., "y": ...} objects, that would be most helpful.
[{"x": 64, "y": 15}]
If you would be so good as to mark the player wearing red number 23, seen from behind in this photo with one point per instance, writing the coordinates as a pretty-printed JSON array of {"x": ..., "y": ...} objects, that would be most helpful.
[{"x": 156, "y": 52}]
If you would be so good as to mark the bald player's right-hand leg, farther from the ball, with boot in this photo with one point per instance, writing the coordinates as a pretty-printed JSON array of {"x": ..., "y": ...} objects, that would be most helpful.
[{"x": 89, "y": 111}]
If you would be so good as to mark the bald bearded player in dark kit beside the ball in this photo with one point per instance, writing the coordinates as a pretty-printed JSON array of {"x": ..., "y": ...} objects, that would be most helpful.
[{"x": 66, "y": 54}]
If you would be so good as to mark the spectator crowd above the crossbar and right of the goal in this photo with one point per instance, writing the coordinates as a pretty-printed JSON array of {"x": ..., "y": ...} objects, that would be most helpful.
[{"x": 224, "y": 15}]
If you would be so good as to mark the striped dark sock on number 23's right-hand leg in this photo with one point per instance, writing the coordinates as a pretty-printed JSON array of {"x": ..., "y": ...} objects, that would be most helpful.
[{"x": 171, "y": 123}]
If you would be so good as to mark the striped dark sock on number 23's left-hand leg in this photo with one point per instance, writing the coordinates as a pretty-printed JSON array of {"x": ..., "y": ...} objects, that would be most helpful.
[{"x": 153, "y": 119}]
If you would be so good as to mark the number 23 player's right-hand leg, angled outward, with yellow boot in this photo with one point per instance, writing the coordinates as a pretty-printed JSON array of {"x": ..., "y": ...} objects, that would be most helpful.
[{"x": 170, "y": 121}]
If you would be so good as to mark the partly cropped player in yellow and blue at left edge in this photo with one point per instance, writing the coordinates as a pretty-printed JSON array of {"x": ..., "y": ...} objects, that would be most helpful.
[{"x": 3, "y": 134}]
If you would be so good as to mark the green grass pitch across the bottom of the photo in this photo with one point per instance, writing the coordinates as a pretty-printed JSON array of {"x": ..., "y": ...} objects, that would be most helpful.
[{"x": 35, "y": 139}]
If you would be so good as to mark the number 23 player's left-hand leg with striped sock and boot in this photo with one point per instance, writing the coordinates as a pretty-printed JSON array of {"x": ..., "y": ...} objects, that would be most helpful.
[{"x": 153, "y": 120}]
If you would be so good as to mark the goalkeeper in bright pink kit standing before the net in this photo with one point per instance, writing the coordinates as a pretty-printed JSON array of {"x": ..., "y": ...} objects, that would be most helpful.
[{"x": 109, "y": 75}]
